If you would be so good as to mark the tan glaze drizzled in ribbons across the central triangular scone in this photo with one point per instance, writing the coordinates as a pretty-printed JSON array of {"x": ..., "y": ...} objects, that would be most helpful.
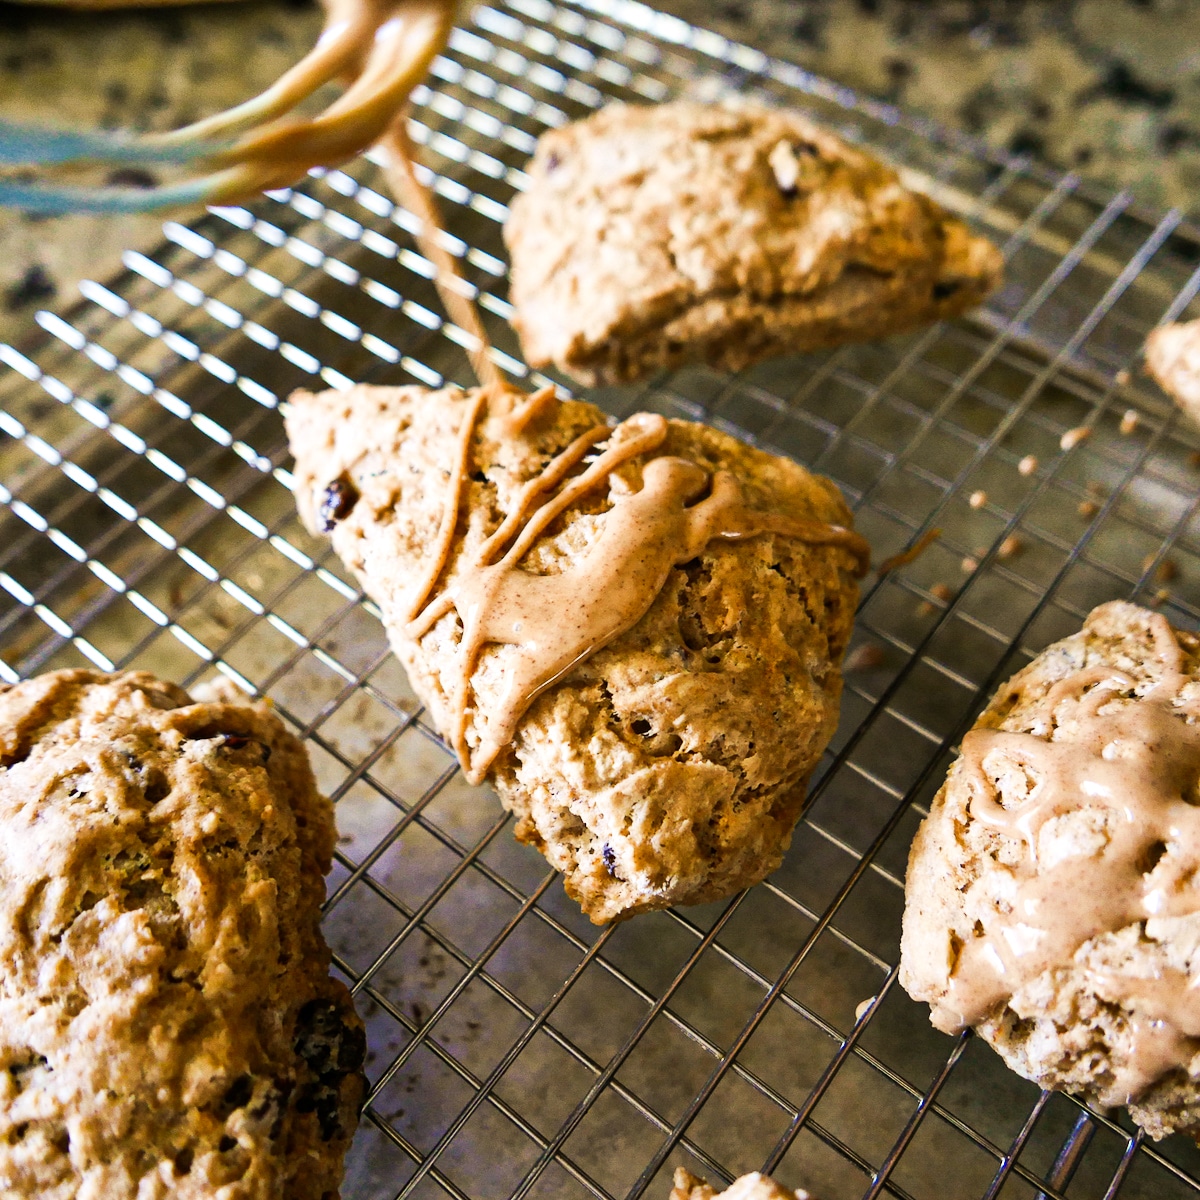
[{"x": 561, "y": 620}]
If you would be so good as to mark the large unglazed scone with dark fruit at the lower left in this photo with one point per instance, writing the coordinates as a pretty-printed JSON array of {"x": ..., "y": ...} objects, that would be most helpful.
[{"x": 169, "y": 1028}]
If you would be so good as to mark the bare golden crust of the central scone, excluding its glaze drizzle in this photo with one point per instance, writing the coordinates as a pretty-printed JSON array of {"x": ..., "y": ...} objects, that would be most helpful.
[{"x": 671, "y": 766}]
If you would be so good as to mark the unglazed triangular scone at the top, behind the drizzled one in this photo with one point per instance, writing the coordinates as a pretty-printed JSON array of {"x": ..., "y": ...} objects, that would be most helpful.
[{"x": 651, "y": 237}]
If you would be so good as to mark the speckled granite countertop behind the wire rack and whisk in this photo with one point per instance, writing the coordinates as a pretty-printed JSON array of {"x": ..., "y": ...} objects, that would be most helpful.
[{"x": 1111, "y": 88}]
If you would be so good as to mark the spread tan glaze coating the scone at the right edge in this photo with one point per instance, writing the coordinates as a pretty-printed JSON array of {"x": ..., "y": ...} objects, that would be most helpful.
[{"x": 1133, "y": 765}]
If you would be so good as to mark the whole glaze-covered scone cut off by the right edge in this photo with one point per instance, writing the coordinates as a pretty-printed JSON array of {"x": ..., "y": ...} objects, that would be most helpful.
[{"x": 1052, "y": 901}]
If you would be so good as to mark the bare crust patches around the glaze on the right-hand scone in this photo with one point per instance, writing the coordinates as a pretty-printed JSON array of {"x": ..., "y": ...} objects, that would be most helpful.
[{"x": 1055, "y": 1031}]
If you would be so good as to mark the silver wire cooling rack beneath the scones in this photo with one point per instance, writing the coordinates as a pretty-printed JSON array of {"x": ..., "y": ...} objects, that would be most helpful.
[{"x": 514, "y": 1049}]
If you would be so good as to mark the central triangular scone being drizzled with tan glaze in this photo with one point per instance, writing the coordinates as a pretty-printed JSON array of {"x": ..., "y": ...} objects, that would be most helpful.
[{"x": 668, "y": 767}]
